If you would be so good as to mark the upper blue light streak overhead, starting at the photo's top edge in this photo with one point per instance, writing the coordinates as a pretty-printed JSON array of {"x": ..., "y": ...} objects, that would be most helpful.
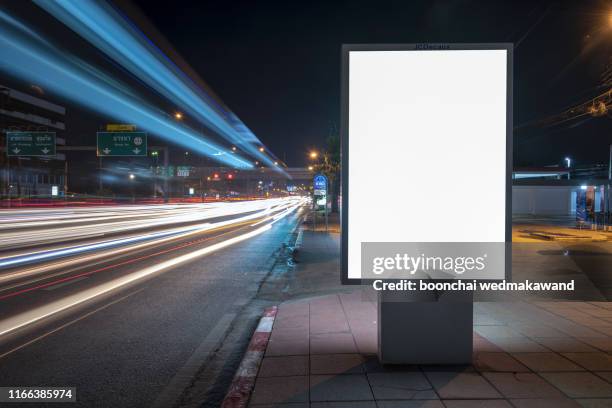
[{"x": 111, "y": 33}]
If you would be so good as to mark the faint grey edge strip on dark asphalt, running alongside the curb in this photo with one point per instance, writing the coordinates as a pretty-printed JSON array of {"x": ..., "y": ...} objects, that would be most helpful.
[{"x": 183, "y": 378}]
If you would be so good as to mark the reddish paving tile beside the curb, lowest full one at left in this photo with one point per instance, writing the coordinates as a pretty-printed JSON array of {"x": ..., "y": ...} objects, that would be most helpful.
[{"x": 276, "y": 390}]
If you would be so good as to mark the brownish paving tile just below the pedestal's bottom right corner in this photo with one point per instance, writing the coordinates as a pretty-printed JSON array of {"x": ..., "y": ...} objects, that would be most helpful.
[{"x": 453, "y": 385}]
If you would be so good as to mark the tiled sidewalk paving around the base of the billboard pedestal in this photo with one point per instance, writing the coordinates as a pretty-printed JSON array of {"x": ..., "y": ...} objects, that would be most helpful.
[{"x": 321, "y": 353}]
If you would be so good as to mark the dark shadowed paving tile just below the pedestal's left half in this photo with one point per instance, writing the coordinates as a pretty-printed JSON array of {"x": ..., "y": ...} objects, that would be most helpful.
[{"x": 400, "y": 386}]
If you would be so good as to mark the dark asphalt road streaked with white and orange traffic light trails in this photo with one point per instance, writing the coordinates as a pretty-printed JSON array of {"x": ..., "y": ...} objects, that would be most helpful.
[{"x": 126, "y": 313}]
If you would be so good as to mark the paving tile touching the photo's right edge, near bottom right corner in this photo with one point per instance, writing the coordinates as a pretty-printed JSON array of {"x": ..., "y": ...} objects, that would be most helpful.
[{"x": 579, "y": 385}]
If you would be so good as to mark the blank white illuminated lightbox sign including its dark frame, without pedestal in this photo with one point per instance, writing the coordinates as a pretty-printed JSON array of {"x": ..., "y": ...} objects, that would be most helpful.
[{"x": 426, "y": 161}]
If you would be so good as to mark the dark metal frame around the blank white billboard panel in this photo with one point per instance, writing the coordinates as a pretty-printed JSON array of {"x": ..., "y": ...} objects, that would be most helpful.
[{"x": 344, "y": 136}]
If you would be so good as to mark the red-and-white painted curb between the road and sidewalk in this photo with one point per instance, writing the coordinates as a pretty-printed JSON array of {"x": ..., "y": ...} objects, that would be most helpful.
[{"x": 244, "y": 380}]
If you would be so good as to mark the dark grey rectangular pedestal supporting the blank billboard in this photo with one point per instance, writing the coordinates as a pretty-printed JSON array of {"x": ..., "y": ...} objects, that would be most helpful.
[{"x": 425, "y": 327}]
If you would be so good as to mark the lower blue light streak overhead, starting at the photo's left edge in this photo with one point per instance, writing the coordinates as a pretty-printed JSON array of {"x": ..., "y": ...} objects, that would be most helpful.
[{"x": 27, "y": 55}]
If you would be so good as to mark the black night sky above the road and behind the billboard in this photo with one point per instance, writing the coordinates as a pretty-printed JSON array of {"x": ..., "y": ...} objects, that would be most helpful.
[{"x": 276, "y": 64}]
